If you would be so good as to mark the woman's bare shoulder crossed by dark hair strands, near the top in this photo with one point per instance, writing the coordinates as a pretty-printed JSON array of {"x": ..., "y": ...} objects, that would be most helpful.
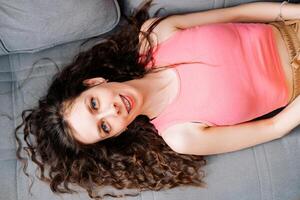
[{"x": 162, "y": 31}]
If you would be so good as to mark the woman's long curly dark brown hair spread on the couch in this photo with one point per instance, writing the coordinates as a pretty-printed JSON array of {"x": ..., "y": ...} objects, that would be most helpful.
[{"x": 138, "y": 158}]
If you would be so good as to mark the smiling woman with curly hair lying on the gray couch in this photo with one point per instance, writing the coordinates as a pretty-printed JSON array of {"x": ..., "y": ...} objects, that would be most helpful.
[{"x": 136, "y": 111}]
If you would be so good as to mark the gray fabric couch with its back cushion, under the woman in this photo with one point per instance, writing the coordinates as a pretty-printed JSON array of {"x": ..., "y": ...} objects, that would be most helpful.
[{"x": 47, "y": 35}]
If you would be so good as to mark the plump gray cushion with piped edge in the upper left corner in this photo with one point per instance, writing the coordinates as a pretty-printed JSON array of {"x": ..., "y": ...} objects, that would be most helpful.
[{"x": 32, "y": 25}]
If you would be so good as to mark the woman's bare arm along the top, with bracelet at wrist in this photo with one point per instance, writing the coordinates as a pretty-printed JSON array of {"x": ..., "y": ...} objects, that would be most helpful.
[{"x": 250, "y": 12}]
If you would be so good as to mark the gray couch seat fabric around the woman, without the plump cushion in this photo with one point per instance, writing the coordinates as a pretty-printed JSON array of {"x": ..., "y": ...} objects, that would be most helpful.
[{"x": 269, "y": 171}]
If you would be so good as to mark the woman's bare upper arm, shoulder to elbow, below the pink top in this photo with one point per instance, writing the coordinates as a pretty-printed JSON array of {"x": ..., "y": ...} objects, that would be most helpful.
[{"x": 190, "y": 138}]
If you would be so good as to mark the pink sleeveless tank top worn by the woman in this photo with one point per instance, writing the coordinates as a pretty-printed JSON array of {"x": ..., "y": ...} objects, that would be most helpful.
[{"x": 241, "y": 78}]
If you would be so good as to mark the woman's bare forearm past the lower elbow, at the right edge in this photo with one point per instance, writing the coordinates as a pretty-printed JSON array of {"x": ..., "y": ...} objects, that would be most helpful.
[{"x": 288, "y": 118}]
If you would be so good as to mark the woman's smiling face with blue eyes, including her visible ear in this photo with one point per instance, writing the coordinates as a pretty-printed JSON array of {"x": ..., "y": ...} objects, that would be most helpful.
[{"x": 103, "y": 111}]
